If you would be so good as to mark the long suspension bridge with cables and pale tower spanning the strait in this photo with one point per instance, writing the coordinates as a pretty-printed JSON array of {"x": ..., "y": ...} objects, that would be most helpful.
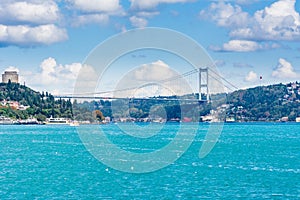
[{"x": 200, "y": 80}]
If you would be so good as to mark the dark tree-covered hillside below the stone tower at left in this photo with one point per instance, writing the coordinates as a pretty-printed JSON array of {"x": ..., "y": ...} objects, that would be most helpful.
[{"x": 39, "y": 105}]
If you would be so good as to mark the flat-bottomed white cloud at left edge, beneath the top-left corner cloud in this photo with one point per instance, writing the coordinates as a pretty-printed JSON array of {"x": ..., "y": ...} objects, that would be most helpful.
[{"x": 23, "y": 35}]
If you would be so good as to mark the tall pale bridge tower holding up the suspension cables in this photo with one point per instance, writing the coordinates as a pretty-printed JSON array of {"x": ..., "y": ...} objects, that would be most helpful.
[{"x": 203, "y": 84}]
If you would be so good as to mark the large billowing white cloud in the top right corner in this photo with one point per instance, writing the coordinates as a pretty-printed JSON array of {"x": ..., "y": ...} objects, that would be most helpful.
[{"x": 280, "y": 21}]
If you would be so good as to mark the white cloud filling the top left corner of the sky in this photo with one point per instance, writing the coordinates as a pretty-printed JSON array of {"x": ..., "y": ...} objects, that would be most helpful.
[{"x": 29, "y": 12}]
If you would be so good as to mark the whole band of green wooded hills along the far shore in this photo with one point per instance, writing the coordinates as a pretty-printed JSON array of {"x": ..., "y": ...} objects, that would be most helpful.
[{"x": 264, "y": 103}]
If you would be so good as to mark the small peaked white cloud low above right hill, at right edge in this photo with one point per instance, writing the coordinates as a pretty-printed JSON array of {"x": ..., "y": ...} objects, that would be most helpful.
[{"x": 285, "y": 70}]
